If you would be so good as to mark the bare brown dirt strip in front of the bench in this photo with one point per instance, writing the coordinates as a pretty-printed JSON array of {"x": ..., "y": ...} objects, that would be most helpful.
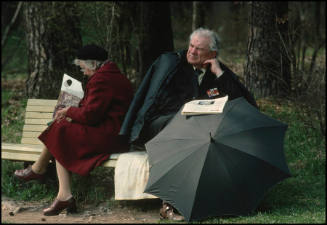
[{"x": 31, "y": 212}]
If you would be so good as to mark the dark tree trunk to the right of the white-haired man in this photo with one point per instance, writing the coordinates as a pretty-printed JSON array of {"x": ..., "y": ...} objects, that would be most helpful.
[{"x": 268, "y": 67}]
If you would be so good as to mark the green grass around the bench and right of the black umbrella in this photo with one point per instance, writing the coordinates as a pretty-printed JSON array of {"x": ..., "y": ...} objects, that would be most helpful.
[{"x": 298, "y": 199}]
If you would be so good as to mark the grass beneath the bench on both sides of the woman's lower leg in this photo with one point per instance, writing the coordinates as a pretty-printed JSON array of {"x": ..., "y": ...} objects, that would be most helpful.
[{"x": 83, "y": 188}]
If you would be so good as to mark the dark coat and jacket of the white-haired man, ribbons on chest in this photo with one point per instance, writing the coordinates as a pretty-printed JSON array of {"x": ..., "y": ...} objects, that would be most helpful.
[{"x": 156, "y": 85}]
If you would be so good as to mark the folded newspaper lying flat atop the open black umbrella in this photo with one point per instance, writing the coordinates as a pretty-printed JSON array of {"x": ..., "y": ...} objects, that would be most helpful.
[{"x": 204, "y": 106}]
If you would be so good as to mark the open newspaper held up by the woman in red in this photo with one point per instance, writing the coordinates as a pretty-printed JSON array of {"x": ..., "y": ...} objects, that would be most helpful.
[{"x": 71, "y": 93}]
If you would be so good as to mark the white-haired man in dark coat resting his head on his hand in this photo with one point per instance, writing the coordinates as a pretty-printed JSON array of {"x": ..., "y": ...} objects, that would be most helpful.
[{"x": 174, "y": 79}]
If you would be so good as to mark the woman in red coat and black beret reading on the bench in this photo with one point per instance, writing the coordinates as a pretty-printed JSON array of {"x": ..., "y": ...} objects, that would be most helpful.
[{"x": 83, "y": 137}]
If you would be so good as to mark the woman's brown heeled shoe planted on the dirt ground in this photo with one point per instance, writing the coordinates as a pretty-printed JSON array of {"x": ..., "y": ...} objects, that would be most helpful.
[{"x": 57, "y": 206}]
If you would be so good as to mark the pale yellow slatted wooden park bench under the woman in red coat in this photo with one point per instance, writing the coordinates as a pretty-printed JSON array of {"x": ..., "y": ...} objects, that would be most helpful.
[{"x": 38, "y": 114}]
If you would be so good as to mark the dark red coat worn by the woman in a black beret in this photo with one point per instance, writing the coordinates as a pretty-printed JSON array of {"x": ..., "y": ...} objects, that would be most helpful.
[{"x": 92, "y": 135}]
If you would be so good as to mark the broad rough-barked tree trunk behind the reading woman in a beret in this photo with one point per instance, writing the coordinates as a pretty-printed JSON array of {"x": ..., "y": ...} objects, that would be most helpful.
[{"x": 53, "y": 38}]
